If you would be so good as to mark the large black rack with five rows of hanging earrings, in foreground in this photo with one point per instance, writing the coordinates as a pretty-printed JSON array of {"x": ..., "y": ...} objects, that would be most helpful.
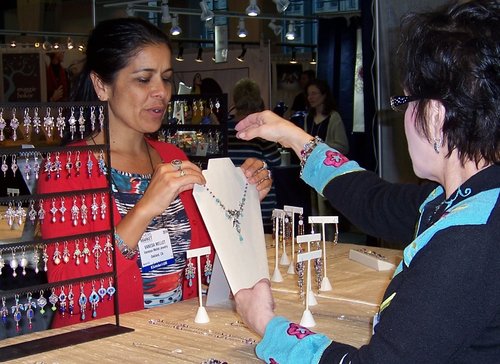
[{"x": 32, "y": 149}]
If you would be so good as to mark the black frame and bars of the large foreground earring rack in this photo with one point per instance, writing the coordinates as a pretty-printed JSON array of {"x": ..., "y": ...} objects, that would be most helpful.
[{"x": 56, "y": 341}]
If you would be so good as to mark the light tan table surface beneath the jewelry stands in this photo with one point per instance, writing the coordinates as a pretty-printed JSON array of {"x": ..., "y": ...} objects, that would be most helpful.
[{"x": 169, "y": 333}]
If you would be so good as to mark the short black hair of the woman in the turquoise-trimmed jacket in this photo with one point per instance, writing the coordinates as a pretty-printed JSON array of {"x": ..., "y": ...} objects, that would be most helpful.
[{"x": 453, "y": 55}]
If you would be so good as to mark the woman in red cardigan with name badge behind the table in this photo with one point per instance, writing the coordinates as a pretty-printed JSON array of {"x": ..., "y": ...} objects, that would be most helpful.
[{"x": 128, "y": 65}]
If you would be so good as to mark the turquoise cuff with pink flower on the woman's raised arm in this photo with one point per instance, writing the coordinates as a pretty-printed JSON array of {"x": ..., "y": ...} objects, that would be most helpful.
[{"x": 324, "y": 164}]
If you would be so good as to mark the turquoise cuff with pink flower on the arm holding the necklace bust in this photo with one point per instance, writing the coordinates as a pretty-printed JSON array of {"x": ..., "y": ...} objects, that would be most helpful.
[{"x": 286, "y": 342}]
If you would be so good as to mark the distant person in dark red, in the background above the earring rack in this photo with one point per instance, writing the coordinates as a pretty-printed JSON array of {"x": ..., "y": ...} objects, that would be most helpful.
[{"x": 58, "y": 81}]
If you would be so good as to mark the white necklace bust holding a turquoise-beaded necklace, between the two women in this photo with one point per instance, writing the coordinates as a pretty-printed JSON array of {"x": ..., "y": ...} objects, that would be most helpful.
[{"x": 230, "y": 208}]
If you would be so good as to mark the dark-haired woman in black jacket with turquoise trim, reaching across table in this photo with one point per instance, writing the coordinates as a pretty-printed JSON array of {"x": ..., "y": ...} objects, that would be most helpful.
[{"x": 442, "y": 304}]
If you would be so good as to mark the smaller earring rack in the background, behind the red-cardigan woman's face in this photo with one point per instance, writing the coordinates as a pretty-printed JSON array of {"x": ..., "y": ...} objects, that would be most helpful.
[{"x": 197, "y": 124}]
